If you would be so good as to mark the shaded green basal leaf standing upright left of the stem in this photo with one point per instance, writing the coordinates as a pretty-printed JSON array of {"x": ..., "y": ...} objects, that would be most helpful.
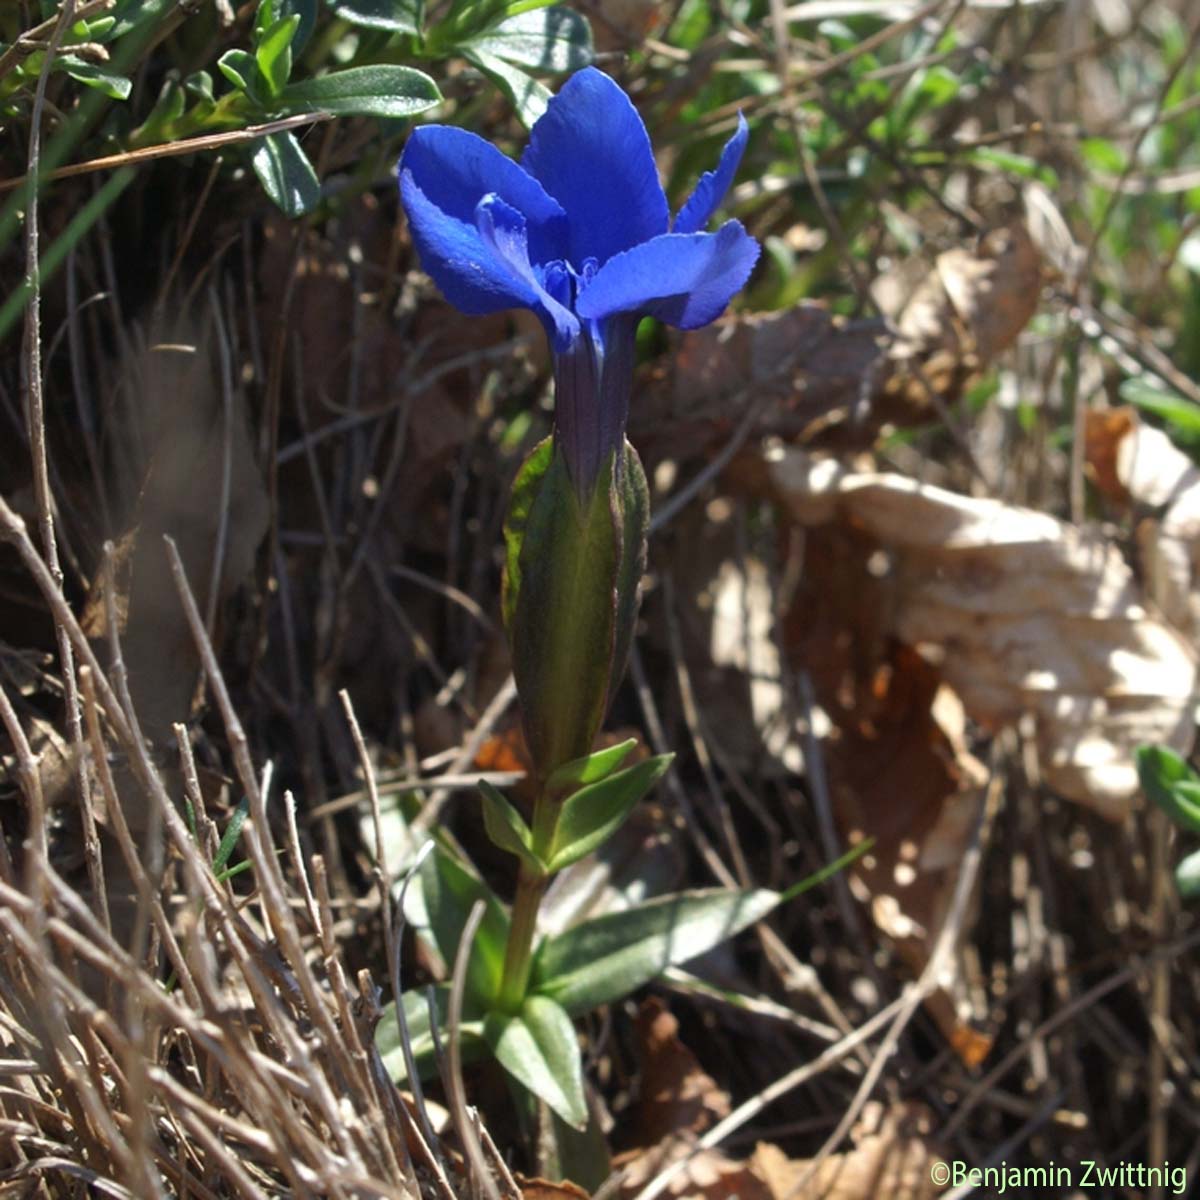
[{"x": 449, "y": 892}]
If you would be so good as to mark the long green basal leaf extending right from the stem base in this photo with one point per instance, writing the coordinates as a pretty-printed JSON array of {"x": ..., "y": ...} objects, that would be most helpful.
[{"x": 608, "y": 958}]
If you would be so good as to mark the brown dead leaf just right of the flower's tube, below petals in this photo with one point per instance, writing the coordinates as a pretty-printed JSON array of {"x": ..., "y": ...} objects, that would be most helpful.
[{"x": 829, "y": 382}]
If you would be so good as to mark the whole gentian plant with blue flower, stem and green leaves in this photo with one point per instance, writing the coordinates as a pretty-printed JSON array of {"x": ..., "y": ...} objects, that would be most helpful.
[{"x": 579, "y": 232}]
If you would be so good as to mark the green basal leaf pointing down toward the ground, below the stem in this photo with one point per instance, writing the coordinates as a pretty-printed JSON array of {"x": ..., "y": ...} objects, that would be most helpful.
[{"x": 539, "y": 1049}]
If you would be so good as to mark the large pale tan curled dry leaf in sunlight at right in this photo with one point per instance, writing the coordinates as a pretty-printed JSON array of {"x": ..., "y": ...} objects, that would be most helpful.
[{"x": 1023, "y": 615}]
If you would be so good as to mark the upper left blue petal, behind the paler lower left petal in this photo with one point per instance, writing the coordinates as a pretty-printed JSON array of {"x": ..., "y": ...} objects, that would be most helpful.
[{"x": 455, "y": 170}]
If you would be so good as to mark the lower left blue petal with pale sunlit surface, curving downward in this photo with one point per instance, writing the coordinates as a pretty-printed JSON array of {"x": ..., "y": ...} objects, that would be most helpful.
[{"x": 477, "y": 273}]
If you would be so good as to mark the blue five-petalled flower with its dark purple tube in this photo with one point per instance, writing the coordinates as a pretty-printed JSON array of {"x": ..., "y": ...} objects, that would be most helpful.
[{"x": 579, "y": 232}]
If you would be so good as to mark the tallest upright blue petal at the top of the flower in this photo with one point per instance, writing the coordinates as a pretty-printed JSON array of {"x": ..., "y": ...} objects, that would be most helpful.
[{"x": 592, "y": 154}]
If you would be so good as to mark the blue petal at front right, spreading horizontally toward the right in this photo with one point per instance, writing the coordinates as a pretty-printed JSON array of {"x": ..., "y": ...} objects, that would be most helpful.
[{"x": 685, "y": 280}]
